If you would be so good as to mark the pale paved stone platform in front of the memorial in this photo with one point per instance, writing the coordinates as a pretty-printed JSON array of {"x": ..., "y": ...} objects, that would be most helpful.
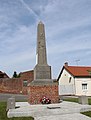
[{"x": 61, "y": 111}]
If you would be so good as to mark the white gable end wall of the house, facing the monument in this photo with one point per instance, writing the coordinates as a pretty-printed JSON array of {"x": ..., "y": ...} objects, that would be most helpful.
[{"x": 66, "y": 86}]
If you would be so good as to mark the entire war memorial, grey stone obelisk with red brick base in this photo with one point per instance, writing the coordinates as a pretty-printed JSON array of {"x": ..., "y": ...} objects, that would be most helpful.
[{"x": 43, "y": 84}]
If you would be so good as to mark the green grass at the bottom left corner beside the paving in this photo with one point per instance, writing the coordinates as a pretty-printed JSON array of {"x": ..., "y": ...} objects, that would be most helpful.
[{"x": 3, "y": 114}]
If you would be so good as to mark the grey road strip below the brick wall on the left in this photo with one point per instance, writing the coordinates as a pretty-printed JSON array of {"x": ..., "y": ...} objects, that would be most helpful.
[{"x": 18, "y": 97}]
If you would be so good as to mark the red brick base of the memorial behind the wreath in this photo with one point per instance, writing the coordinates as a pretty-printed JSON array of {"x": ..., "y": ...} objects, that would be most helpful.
[{"x": 37, "y": 92}]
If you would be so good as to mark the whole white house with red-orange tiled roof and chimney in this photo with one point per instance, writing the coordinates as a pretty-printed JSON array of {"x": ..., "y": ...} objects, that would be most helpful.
[{"x": 75, "y": 80}]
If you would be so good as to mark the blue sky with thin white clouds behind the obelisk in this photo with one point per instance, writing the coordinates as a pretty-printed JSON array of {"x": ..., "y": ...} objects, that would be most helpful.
[{"x": 68, "y": 33}]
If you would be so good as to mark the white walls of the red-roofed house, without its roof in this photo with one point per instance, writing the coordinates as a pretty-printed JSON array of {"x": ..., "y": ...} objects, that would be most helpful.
[{"x": 75, "y": 86}]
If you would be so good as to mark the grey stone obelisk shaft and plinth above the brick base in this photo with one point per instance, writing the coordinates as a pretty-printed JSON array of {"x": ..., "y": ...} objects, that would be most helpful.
[{"x": 42, "y": 70}]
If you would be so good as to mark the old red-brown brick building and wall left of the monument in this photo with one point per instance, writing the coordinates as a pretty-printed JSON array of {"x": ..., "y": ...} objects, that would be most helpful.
[{"x": 16, "y": 85}]
